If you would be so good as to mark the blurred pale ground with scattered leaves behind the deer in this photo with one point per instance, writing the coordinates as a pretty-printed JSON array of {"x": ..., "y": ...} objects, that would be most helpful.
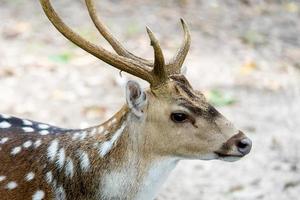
[{"x": 245, "y": 57}]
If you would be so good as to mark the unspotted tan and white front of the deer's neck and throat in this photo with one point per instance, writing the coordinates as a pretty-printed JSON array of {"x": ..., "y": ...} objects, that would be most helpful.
[{"x": 139, "y": 173}]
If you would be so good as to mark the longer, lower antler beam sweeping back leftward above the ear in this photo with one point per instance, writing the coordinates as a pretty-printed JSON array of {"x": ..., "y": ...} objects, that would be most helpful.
[{"x": 131, "y": 66}]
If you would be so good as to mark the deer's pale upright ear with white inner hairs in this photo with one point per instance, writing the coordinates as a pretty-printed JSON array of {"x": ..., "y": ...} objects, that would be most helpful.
[{"x": 135, "y": 97}]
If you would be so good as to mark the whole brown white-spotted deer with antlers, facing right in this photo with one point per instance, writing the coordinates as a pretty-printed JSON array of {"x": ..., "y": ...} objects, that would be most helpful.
[{"x": 130, "y": 155}]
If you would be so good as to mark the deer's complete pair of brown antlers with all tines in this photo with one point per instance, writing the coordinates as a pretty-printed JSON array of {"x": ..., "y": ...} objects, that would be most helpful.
[{"x": 124, "y": 61}]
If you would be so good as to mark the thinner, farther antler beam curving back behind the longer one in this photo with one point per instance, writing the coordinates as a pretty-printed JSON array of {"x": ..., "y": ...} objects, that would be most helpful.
[{"x": 116, "y": 45}]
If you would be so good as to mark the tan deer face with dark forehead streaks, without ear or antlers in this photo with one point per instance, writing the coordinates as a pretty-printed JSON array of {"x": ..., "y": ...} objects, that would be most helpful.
[{"x": 179, "y": 122}]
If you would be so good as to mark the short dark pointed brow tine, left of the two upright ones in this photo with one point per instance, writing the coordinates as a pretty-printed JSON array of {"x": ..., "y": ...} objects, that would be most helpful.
[{"x": 159, "y": 61}]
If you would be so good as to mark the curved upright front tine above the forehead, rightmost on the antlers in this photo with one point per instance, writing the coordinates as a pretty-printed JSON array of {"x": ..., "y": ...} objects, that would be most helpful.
[{"x": 176, "y": 63}]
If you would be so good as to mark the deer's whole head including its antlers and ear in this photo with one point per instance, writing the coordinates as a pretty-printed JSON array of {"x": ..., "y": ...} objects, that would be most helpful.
[{"x": 177, "y": 120}]
